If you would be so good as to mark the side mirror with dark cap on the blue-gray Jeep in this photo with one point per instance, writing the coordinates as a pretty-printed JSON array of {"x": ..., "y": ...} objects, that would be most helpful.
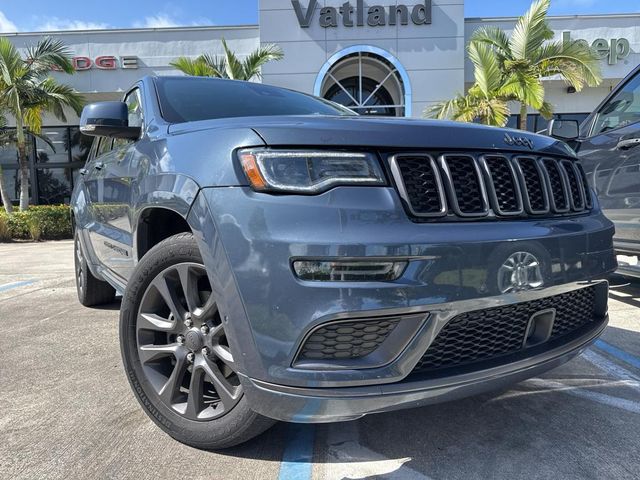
[{"x": 108, "y": 119}]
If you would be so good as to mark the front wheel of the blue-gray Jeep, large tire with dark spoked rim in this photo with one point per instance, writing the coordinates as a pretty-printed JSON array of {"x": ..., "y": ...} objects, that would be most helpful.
[{"x": 175, "y": 352}]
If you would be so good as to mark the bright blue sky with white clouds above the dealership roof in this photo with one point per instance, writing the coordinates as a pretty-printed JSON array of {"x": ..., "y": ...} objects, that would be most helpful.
[{"x": 43, "y": 15}]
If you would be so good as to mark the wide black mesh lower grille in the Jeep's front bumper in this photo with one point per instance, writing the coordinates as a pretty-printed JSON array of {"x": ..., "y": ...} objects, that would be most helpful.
[{"x": 487, "y": 334}]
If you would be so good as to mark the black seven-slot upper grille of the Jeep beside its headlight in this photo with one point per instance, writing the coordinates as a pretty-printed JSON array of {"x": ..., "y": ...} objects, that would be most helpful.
[{"x": 459, "y": 186}]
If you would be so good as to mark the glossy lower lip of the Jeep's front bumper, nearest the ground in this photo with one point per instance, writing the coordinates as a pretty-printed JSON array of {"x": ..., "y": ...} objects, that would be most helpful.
[{"x": 308, "y": 405}]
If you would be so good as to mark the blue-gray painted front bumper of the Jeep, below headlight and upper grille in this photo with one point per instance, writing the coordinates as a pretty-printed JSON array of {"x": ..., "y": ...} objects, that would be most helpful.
[{"x": 249, "y": 239}]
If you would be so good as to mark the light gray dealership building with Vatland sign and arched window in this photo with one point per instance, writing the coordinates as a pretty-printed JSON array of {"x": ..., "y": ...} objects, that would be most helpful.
[{"x": 379, "y": 57}]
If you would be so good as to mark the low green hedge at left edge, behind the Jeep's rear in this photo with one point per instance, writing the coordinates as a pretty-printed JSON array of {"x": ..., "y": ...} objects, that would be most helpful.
[{"x": 43, "y": 222}]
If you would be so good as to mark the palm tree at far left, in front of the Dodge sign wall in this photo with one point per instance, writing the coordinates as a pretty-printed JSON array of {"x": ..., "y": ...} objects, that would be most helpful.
[{"x": 27, "y": 91}]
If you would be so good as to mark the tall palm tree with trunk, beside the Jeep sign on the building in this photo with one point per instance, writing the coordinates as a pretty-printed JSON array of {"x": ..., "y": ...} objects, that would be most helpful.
[{"x": 529, "y": 55}]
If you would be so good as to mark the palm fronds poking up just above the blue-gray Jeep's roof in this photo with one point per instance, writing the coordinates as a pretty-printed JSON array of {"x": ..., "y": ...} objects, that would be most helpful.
[{"x": 229, "y": 65}]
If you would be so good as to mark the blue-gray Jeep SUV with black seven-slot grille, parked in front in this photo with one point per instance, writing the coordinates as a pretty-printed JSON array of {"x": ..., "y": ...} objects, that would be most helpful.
[{"x": 283, "y": 258}]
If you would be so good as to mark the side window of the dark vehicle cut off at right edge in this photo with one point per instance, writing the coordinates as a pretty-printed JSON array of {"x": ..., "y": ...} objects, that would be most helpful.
[{"x": 622, "y": 109}]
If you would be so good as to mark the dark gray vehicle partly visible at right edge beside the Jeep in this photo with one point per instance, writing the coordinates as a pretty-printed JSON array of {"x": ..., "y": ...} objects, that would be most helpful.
[{"x": 608, "y": 145}]
